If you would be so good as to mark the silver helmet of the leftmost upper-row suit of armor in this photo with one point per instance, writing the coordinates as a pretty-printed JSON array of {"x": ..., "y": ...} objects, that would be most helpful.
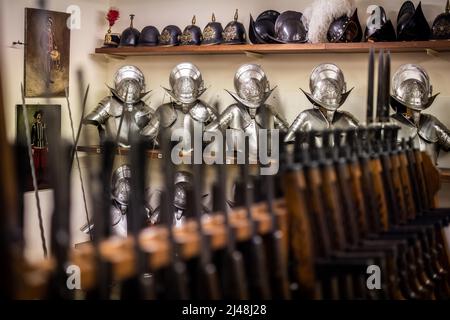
[{"x": 129, "y": 83}]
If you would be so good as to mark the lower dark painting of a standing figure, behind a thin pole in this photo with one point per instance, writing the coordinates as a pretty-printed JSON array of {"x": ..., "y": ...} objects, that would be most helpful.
[{"x": 42, "y": 120}]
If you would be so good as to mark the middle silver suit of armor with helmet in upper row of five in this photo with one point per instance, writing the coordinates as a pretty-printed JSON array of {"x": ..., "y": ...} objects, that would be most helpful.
[{"x": 250, "y": 113}]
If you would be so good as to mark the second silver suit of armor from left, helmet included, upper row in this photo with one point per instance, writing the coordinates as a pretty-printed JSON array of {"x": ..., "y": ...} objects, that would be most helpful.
[{"x": 186, "y": 111}]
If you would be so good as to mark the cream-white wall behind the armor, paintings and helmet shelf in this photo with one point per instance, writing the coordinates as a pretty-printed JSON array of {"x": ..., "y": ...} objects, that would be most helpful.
[{"x": 289, "y": 72}]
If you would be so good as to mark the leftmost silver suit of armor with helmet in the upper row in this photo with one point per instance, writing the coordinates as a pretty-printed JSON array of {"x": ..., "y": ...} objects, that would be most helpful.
[{"x": 124, "y": 105}]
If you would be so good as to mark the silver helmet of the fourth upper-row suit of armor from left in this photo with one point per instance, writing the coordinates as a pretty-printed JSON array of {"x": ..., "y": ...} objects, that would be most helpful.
[{"x": 328, "y": 87}]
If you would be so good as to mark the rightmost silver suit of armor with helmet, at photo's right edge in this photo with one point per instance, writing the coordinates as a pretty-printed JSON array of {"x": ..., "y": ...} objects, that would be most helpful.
[{"x": 412, "y": 93}]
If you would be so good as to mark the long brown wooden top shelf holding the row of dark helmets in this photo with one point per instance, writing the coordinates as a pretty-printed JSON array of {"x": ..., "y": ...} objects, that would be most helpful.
[{"x": 260, "y": 49}]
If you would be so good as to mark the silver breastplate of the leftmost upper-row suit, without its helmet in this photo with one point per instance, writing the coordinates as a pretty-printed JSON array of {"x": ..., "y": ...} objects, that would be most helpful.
[{"x": 135, "y": 118}]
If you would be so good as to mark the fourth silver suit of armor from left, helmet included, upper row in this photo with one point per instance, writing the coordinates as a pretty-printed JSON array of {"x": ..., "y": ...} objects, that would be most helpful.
[{"x": 328, "y": 93}]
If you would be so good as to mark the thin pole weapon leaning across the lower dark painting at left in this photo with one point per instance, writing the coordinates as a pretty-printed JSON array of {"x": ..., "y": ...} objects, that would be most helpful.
[{"x": 33, "y": 172}]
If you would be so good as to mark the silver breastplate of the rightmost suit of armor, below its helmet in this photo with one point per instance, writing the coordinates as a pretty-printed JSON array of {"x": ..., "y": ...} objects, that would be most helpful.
[{"x": 424, "y": 136}]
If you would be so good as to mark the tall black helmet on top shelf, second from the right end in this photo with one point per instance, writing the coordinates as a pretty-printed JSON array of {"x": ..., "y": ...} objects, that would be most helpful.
[{"x": 412, "y": 24}]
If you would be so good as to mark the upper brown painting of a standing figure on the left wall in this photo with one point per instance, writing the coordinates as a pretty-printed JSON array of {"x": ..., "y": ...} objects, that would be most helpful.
[{"x": 47, "y": 53}]
